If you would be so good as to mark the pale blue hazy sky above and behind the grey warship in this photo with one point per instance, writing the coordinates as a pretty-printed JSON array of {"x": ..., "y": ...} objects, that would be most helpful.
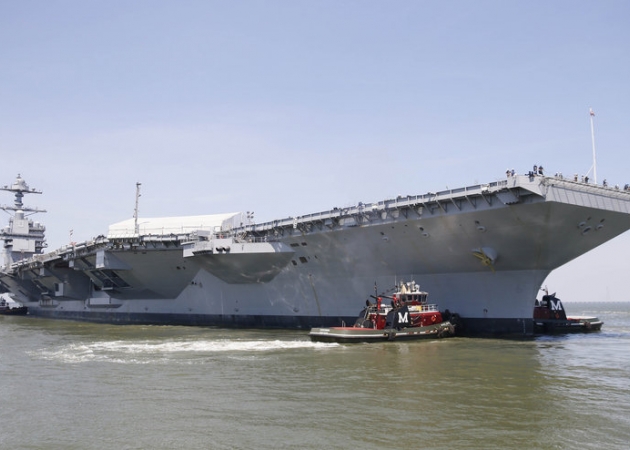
[{"x": 292, "y": 107}]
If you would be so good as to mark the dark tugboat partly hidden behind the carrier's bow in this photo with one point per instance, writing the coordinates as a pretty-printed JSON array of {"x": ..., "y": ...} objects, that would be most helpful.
[{"x": 550, "y": 317}]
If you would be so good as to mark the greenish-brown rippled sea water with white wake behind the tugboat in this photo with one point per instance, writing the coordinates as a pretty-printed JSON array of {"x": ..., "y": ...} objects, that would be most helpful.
[{"x": 74, "y": 385}]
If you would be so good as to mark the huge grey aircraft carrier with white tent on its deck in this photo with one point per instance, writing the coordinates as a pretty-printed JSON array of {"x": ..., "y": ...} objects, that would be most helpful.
[{"x": 481, "y": 251}]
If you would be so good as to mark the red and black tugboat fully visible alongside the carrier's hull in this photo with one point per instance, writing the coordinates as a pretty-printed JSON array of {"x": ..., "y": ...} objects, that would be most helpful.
[{"x": 408, "y": 316}]
